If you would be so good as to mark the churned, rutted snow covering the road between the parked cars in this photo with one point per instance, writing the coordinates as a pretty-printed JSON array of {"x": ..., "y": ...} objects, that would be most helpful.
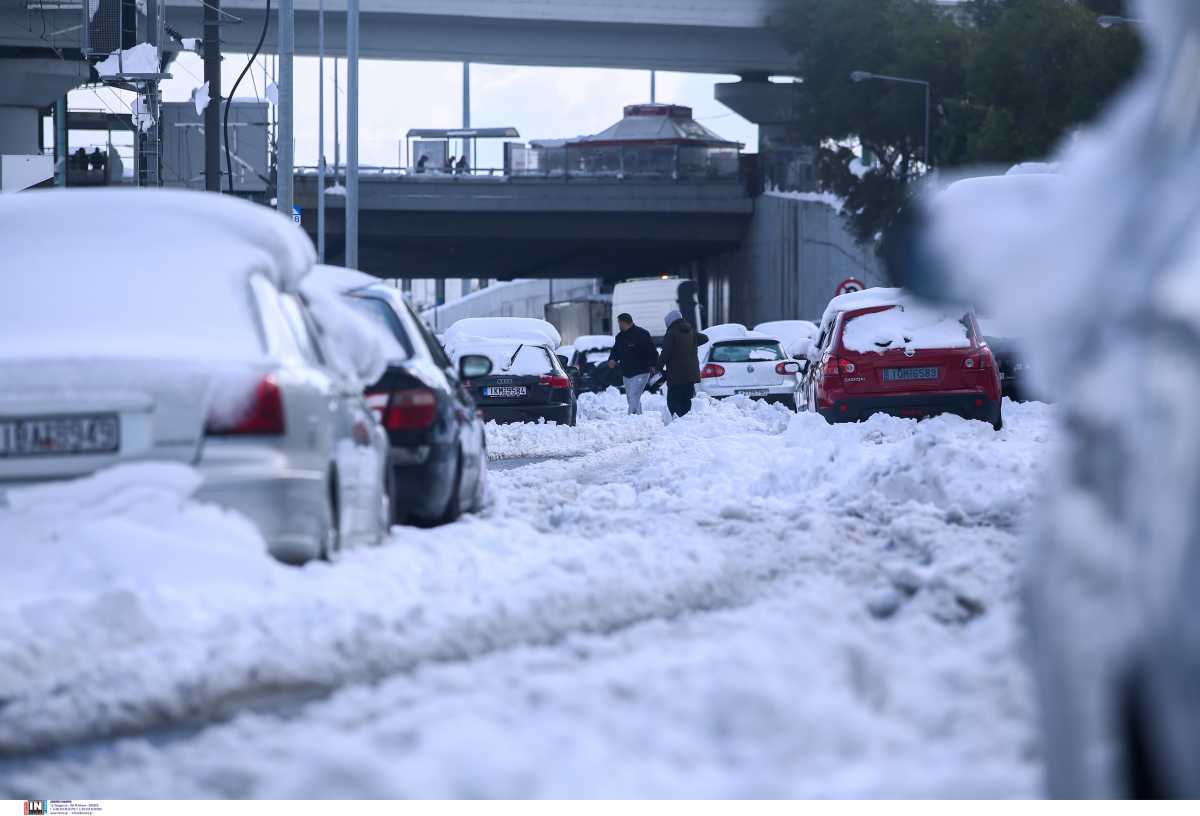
[{"x": 742, "y": 603}]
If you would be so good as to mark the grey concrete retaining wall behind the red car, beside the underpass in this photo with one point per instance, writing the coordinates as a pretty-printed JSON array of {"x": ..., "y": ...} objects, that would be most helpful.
[{"x": 795, "y": 256}]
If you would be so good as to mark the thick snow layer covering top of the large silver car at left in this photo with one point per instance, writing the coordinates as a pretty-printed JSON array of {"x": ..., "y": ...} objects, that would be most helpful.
[{"x": 143, "y": 273}]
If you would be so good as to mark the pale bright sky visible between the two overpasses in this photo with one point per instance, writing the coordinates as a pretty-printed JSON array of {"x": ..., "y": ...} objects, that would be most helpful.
[{"x": 395, "y": 97}]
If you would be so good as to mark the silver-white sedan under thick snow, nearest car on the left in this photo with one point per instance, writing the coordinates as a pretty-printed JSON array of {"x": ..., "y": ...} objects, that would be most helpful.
[{"x": 191, "y": 344}]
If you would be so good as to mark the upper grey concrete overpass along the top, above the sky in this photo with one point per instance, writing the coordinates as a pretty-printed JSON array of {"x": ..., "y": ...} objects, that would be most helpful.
[{"x": 698, "y": 37}]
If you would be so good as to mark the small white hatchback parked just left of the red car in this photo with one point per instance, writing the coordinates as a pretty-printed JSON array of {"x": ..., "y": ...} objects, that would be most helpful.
[{"x": 737, "y": 362}]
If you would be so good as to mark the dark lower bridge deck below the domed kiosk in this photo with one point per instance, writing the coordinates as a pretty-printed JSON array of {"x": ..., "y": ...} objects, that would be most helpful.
[{"x": 508, "y": 227}]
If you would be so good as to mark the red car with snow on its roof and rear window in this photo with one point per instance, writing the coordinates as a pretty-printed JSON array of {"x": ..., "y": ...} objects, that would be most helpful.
[{"x": 883, "y": 352}]
